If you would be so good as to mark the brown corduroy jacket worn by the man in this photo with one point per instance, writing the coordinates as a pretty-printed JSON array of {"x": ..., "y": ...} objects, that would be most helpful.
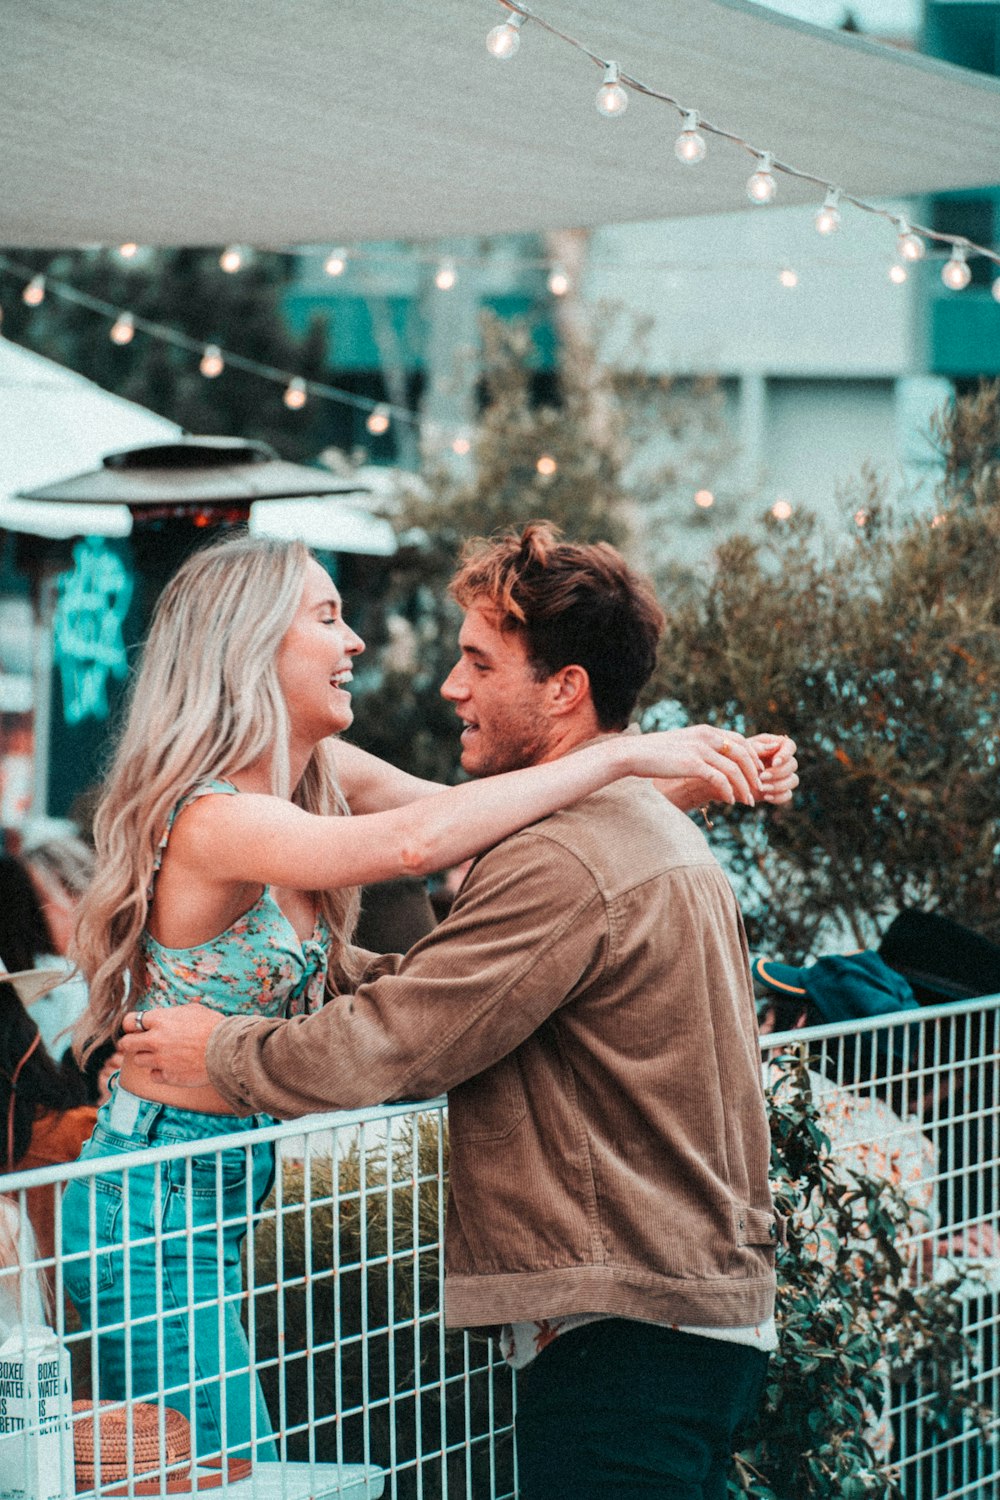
[{"x": 588, "y": 1009}]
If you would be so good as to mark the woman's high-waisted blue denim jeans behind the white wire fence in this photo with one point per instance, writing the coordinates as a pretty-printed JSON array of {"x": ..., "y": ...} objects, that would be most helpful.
[{"x": 157, "y": 1274}]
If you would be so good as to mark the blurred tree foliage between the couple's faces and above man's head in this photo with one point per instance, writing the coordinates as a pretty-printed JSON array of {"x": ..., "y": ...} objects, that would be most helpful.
[{"x": 590, "y": 425}]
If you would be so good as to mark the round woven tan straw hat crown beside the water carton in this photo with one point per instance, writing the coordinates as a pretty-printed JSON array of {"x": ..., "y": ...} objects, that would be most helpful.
[{"x": 113, "y": 1421}]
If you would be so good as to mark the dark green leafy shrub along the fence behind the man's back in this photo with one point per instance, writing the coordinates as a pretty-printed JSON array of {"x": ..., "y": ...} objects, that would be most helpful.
[{"x": 851, "y": 1316}]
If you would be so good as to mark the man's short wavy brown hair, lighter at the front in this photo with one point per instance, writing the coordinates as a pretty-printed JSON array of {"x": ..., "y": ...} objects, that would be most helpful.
[{"x": 573, "y": 604}]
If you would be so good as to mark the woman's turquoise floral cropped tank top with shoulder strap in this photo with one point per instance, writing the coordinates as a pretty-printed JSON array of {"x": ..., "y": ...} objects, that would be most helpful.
[{"x": 259, "y": 967}]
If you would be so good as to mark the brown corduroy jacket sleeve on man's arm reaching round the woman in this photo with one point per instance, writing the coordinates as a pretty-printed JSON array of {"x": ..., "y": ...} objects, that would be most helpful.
[{"x": 528, "y": 928}]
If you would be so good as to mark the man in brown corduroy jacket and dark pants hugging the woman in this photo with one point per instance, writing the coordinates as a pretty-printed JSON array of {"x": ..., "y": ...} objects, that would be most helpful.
[{"x": 588, "y": 1009}]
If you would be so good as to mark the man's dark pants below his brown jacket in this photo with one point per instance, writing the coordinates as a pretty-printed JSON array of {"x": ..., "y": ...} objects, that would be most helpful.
[{"x": 621, "y": 1409}]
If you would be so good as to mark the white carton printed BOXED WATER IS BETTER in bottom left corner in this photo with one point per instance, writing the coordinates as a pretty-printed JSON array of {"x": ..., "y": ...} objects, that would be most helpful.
[{"x": 37, "y": 1441}]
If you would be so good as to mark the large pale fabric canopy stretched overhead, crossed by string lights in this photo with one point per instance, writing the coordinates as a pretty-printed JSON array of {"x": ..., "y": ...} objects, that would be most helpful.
[{"x": 290, "y": 122}]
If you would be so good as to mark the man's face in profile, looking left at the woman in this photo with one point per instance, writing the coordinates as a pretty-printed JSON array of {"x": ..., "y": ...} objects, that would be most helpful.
[{"x": 499, "y": 700}]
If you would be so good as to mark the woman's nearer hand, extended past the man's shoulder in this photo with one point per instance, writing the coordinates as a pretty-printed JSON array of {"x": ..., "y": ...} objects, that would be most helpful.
[{"x": 701, "y": 766}]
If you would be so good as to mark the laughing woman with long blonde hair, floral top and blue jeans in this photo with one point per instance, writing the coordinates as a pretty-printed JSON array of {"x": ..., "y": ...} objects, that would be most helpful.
[{"x": 227, "y": 874}]
